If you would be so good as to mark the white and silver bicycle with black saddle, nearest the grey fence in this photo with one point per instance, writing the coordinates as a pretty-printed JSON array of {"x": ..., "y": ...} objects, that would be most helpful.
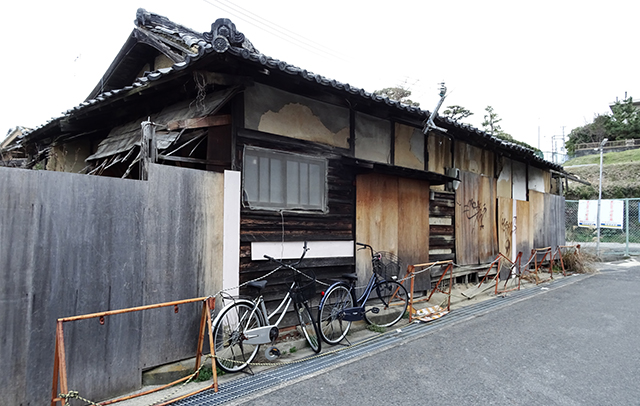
[{"x": 243, "y": 325}]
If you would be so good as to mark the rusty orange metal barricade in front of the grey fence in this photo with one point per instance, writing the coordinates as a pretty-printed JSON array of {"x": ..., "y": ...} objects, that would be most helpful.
[{"x": 60, "y": 367}]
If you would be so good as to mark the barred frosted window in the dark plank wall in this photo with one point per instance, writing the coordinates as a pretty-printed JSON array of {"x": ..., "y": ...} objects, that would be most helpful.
[{"x": 279, "y": 180}]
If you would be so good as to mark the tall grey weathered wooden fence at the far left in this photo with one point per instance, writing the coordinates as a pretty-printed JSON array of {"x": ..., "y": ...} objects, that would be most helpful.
[{"x": 74, "y": 244}]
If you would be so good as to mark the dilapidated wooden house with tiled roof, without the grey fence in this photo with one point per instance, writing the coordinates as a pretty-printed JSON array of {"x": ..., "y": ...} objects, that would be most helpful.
[{"x": 316, "y": 160}]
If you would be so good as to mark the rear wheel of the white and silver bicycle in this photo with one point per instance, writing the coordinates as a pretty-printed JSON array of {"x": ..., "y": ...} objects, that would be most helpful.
[{"x": 232, "y": 352}]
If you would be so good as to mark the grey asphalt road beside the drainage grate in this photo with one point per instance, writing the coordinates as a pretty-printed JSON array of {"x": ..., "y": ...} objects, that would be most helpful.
[{"x": 576, "y": 345}]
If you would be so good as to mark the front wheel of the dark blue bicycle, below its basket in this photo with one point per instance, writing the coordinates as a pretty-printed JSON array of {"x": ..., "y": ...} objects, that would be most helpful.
[{"x": 391, "y": 300}]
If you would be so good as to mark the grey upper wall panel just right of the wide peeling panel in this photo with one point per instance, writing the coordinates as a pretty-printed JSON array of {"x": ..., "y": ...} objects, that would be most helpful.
[{"x": 373, "y": 138}]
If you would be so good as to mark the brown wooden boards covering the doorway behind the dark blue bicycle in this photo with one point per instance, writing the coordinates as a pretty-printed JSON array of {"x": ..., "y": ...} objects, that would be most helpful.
[{"x": 393, "y": 216}]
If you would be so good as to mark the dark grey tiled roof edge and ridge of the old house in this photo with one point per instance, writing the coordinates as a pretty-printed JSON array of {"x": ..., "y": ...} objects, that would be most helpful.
[{"x": 224, "y": 37}]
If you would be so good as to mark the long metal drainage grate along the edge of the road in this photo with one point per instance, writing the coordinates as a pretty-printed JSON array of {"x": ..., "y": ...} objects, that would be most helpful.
[{"x": 247, "y": 385}]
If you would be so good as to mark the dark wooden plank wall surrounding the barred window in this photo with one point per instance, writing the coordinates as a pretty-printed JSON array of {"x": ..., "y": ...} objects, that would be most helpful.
[{"x": 274, "y": 226}]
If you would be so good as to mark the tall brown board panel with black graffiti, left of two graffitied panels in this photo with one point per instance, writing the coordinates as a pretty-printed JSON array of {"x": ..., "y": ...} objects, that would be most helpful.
[{"x": 476, "y": 234}]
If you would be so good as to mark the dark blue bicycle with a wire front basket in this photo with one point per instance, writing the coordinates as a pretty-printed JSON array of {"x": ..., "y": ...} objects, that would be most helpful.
[{"x": 339, "y": 308}]
